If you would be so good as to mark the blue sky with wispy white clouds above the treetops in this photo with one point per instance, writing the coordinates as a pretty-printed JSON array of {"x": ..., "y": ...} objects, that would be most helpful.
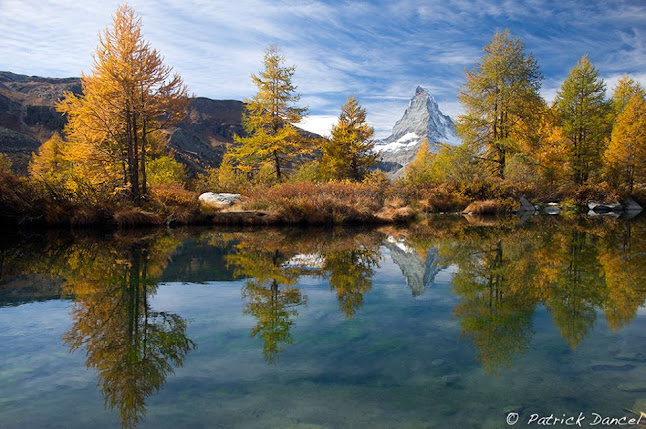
[{"x": 379, "y": 51}]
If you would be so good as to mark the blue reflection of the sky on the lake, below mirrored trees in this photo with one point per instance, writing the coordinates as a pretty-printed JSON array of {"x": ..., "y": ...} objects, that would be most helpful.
[{"x": 383, "y": 368}]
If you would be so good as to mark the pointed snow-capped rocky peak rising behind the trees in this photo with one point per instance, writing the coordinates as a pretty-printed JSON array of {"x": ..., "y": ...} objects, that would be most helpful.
[{"x": 422, "y": 119}]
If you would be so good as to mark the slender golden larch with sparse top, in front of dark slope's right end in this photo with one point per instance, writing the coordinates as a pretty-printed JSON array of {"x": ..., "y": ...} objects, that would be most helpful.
[{"x": 269, "y": 119}]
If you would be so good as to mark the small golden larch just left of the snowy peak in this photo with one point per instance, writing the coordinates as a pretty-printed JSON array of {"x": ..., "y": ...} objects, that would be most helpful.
[{"x": 348, "y": 154}]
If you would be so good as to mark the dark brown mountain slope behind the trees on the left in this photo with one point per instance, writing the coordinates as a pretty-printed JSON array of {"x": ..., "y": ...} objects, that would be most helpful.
[{"x": 28, "y": 118}]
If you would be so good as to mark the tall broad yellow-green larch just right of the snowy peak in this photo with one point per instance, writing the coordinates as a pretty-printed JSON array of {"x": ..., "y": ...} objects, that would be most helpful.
[{"x": 501, "y": 98}]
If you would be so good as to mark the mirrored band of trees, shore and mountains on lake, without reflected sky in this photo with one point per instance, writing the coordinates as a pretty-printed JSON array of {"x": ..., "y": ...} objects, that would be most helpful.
[{"x": 502, "y": 273}]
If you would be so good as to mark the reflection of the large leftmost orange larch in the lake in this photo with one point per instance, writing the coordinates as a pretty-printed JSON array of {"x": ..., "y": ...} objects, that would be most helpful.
[{"x": 133, "y": 347}]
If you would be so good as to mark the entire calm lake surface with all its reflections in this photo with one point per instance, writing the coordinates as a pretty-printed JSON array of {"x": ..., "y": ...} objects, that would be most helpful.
[{"x": 452, "y": 323}]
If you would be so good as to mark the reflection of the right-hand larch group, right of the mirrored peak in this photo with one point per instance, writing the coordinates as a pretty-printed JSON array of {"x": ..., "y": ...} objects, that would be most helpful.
[{"x": 505, "y": 270}]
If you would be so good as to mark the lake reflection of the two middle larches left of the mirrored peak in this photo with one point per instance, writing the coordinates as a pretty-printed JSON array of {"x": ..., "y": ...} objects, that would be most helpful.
[{"x": 273, "y": 260}]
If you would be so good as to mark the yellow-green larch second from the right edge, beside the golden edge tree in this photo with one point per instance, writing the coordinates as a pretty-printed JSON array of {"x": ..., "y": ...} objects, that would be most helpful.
[{"x": 583, "y": 114}]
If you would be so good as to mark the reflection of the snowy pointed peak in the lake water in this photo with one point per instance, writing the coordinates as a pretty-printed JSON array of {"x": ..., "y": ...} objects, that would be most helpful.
[{"x": 419, "y": 275}]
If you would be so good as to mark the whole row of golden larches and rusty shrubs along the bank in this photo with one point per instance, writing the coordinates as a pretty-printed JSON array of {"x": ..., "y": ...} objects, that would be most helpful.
[{"x": 111, "y": 165}]
